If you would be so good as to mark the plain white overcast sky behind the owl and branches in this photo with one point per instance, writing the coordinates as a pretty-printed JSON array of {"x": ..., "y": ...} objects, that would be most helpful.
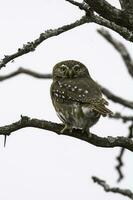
[{"x": 37, "y": 164}]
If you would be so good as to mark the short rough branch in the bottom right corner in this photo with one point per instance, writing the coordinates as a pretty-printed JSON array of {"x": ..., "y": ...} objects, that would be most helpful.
[{"x": 107, "y": 188}]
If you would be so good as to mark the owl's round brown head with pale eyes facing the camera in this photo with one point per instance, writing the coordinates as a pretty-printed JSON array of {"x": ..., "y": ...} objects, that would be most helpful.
[{"x": 69, "y": 69}]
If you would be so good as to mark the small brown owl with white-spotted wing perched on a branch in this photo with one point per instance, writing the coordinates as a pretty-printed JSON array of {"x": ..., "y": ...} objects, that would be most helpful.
[{"x": 76, "y": 97}]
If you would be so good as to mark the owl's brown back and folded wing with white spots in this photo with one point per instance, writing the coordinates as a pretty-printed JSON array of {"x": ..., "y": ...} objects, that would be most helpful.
[{"x": 84, "y": 91}]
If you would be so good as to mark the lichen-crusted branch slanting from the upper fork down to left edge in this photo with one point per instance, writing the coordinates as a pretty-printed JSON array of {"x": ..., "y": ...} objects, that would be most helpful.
[{"x": 31, "y": 46}]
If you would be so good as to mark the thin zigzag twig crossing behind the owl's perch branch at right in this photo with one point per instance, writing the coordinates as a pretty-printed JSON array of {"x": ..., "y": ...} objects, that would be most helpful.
[{"x": 120, "y": 156}]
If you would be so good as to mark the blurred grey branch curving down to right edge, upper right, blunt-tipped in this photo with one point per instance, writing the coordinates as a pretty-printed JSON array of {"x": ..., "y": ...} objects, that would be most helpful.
[{"x": 120, "y": 48}]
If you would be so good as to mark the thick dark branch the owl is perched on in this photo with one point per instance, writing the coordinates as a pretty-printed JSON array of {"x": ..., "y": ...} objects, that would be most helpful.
[{"x": 107, "y": 142}]
